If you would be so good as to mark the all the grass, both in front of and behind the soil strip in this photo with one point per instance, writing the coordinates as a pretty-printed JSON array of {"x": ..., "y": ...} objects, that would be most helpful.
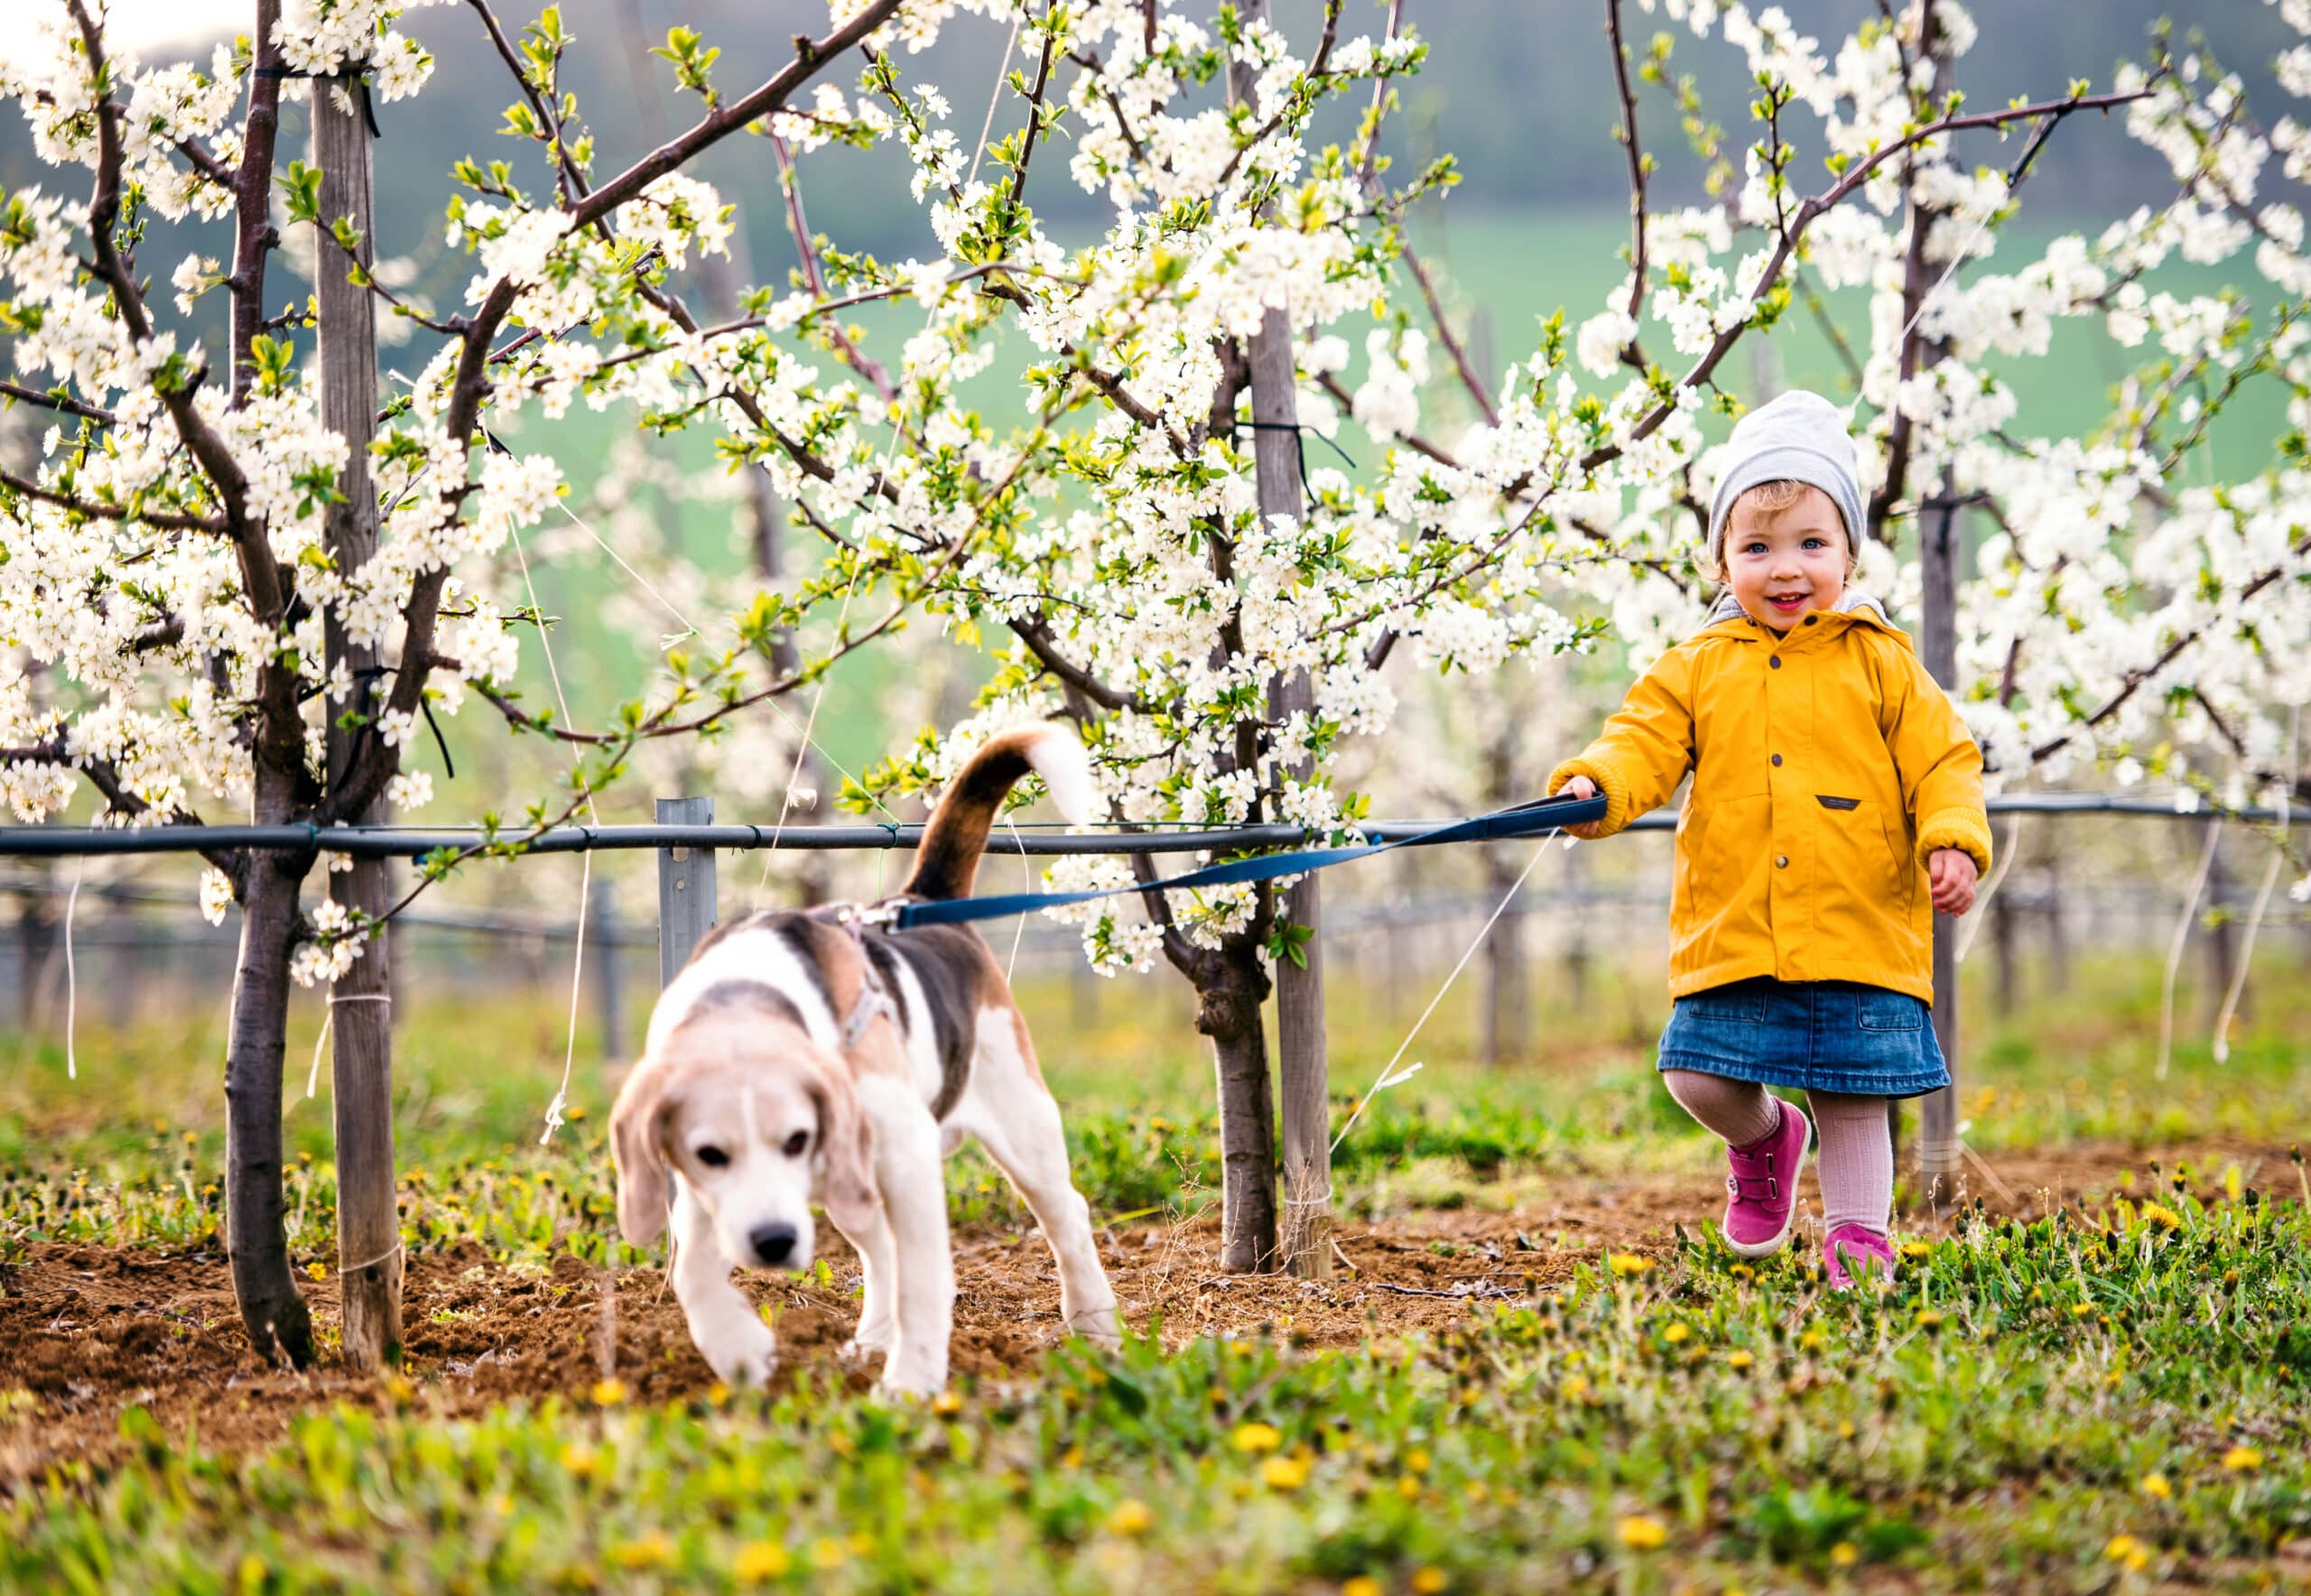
[{"x": 2093, "y": 1403}]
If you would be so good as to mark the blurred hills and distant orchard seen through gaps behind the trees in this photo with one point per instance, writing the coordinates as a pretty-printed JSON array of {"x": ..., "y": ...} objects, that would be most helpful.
[{"x": 2070, "y": 962}]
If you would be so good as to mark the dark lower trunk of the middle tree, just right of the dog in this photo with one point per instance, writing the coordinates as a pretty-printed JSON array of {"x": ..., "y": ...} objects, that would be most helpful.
[{"x": 1231, "y": 994}]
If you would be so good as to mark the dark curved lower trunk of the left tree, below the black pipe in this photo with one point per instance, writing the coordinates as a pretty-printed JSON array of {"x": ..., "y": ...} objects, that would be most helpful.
[{"x": 255, "y": 1237}]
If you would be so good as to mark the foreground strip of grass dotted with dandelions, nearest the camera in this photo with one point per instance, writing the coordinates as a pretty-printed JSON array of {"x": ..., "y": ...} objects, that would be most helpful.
[{"x": 2042, "y": 1405}]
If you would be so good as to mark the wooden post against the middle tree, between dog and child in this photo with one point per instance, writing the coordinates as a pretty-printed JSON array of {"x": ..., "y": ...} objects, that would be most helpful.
[{"x": 1305, "y": 1241}]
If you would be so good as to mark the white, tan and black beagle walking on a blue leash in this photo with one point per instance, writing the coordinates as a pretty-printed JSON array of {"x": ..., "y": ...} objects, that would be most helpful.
[{"x": 822, "y": 1059}]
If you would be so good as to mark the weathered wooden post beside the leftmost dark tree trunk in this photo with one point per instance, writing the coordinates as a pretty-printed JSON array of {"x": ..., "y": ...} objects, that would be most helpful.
[{"x": 362, "y": 1004}]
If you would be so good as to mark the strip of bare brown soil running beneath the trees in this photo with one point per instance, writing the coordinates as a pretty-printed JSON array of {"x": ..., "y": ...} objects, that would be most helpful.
[{"x": 91, "y": 1332}]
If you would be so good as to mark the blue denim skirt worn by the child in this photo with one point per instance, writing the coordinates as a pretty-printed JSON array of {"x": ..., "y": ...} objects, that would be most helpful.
[{"x": 1815, "y": 1036}]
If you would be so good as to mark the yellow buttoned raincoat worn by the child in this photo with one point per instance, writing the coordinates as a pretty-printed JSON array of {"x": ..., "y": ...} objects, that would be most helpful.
[{"x": 1827, "y": 770}]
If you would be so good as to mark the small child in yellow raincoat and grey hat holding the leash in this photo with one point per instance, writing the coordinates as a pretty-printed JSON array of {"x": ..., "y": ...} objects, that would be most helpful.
[{"x": 1836, "y": 805}]
